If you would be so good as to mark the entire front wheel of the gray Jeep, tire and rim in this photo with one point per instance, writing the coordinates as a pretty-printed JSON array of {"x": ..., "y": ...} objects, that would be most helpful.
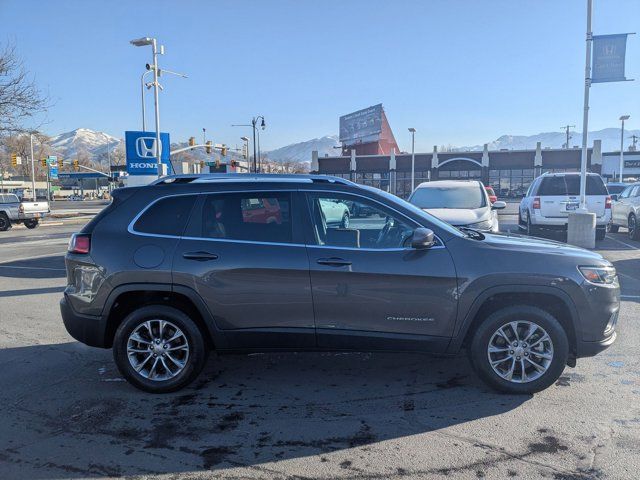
[{"x": 519, "y": 349}]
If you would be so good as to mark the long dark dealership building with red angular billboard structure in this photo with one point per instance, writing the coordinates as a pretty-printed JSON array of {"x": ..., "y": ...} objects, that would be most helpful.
[{"x": 509, "y": 172}]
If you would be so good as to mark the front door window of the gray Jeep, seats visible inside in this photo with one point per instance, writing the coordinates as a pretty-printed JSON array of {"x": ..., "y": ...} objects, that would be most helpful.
[{"x": 353, "y": 222}]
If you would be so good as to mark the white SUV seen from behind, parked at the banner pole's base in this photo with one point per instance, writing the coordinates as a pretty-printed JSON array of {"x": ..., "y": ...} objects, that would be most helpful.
[{"x": 552, "y": 196}]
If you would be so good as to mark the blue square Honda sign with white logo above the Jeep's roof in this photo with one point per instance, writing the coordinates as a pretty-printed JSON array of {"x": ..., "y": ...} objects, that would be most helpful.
[{"x": 141, "y": 152}]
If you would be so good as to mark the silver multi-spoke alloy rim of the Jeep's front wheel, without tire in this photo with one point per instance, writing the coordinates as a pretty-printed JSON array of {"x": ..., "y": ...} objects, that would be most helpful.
[{"x": 520, "y": 351}]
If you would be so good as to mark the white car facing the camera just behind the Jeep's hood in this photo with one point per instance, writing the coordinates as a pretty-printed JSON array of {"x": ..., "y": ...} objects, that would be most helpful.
[{"x": 461, "y": 203}]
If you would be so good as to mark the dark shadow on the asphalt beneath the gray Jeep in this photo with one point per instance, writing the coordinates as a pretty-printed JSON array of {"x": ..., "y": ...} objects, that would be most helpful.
[{"x": 76, "y": 417}]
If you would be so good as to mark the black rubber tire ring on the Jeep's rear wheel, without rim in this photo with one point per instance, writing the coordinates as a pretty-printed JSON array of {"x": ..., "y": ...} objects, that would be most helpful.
[{"x": 198, "y": 350}]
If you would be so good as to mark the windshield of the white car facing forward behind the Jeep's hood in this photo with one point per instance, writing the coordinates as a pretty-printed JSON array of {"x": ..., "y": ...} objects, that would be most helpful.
[{"x": 465, "y": 196}]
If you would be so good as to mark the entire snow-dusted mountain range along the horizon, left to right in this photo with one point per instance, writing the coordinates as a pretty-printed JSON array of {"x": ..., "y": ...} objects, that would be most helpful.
[{"x": 96, "y": 144}]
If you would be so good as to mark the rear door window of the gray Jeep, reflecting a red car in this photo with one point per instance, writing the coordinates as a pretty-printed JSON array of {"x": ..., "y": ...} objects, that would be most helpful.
[{"x": 249, "y": 216}]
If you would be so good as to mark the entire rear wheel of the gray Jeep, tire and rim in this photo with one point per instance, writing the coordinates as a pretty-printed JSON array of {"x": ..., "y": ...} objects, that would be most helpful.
[{"x": 159, "y": 349}]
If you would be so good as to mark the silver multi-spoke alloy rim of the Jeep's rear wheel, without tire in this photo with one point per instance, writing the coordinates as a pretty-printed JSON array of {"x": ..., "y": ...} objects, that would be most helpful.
[{"x": 157, "y": 350}]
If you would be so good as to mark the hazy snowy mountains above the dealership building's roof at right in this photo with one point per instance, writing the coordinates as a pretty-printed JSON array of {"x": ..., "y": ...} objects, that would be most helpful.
[{"x": 610, "y": 140}]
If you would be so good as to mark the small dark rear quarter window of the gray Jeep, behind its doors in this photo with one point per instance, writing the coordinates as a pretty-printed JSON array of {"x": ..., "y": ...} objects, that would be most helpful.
[{"x": 167, "y": 216}]
